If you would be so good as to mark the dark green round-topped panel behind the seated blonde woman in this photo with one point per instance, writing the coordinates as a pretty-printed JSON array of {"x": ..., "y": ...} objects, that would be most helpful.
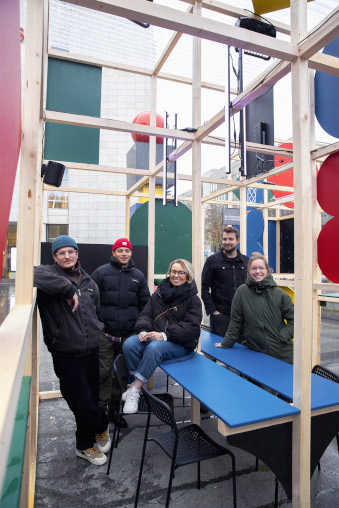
[{"x": 173, "y": 232}]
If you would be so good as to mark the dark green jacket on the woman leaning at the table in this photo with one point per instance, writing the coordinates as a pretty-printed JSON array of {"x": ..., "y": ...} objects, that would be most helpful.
[{"x": 261, "y": 307}]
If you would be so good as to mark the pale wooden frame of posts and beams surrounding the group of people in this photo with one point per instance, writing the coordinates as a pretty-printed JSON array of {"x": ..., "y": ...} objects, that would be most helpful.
[{"x": 19, "y": 334}]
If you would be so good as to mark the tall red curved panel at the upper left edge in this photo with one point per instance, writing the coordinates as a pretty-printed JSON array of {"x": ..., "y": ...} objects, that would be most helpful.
[{"x": 10, "y": 107}]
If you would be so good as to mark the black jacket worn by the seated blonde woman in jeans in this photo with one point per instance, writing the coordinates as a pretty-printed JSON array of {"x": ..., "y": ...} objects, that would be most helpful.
[{"x": 180, "y": 319}]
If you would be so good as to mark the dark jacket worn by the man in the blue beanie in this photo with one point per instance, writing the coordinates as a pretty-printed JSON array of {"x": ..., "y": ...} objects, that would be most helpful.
[{"x": 67, "y": 333}]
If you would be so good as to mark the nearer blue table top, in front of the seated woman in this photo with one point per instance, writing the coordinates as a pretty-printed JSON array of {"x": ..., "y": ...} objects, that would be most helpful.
[{"x": 231, "y": 398}]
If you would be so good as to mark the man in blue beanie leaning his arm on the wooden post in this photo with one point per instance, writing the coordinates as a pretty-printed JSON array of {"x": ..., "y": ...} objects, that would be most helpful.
[{"x": 69, "y": 301}]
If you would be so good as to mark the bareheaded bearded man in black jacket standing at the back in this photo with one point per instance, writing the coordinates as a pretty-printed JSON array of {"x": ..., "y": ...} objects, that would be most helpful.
[{"x": 222, "y": 274}]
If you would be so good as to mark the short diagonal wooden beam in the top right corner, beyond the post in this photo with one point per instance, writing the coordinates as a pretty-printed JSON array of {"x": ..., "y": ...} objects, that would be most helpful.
[{"x": 321, "y": 35}]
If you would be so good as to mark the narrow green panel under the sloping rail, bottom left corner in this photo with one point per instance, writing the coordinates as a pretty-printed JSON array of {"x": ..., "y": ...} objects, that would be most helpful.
[{"x": 10, "y": 496}]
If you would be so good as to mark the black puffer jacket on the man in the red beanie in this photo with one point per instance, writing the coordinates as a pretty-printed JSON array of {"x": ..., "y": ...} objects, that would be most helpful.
[{"x": 123, "y": 295}]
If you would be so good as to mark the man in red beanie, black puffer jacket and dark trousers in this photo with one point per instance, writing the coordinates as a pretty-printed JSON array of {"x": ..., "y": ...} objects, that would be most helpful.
[{"x": 123, "y": 295}]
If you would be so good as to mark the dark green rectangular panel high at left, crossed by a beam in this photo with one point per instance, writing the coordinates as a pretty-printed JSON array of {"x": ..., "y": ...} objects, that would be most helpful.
[{"x": 73, "y": 88}]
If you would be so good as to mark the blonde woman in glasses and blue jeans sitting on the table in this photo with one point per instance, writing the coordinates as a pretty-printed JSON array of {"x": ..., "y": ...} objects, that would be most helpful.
[{"x": 168, "y": 327}]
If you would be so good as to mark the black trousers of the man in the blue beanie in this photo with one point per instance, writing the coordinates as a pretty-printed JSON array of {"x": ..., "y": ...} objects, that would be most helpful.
[{"x": 79, "y": 385}]
